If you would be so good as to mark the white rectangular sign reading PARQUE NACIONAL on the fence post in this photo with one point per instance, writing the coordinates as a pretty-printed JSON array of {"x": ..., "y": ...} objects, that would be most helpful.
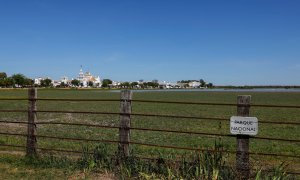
[{"x": 243, "y": 125}]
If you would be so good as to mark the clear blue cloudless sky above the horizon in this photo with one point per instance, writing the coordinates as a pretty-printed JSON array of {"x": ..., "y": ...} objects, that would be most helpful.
[{"x": 245, "y": 42}]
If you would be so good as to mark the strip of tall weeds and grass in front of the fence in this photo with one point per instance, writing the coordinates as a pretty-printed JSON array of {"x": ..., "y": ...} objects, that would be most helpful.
[{"x": 102, "y": 165}]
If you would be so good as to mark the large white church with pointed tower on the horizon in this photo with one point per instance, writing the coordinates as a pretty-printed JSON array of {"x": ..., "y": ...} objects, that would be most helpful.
[{"x": 86, "y": 78}]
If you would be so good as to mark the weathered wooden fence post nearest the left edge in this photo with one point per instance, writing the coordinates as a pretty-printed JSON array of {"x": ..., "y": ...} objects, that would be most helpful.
[{"x": 31, "y": 128}]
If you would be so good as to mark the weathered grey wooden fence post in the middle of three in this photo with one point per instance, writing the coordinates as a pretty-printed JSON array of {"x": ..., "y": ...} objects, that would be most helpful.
[{"x": 125, "y": 122}]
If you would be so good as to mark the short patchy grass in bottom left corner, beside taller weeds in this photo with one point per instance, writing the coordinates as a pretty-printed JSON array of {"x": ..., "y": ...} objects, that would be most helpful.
[{"x": 47, "y": 167}]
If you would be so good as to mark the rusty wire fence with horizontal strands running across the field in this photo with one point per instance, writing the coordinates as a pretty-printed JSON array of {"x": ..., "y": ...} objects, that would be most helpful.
[{"x": 124, "y": 130}]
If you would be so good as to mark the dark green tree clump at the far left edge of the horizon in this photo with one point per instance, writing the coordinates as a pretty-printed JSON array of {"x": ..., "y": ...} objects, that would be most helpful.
[{"x": 16, "y": 80}]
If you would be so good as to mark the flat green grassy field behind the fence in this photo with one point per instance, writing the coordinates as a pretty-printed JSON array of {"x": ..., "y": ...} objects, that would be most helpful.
[{"x": 184, "y": 140}]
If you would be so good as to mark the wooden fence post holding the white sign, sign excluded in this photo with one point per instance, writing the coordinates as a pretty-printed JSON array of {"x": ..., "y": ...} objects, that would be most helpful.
[{"x": 242, "y": 151}]
